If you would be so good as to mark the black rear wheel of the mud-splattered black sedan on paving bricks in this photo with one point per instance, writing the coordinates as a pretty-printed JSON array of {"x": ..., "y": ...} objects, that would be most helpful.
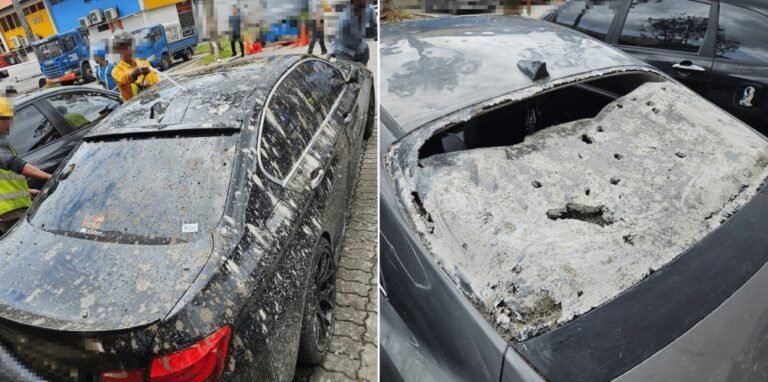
[{"x": 320, "y": 307}]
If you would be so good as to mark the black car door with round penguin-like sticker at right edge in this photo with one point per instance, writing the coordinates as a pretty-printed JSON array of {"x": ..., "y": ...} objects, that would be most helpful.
[{"x": 740, "y": 68}]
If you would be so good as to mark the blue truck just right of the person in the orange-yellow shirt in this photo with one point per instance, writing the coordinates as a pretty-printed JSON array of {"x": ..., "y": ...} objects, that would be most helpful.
[{"x": 161, "y": 43}]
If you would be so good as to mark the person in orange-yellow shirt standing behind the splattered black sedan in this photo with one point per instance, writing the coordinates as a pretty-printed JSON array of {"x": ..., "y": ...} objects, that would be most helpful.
[{"x": 131, "y": 75}]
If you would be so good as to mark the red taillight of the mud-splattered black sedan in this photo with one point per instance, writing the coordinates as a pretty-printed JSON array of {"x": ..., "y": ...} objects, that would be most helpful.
[{"x": 201, "y": 362}]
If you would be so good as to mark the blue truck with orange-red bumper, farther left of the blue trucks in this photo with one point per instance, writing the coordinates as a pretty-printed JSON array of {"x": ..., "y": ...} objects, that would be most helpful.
[{"x": 64, "y": 58}]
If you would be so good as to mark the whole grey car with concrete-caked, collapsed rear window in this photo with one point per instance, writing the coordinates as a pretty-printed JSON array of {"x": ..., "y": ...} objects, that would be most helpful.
[{"x": 590, "y": 224}]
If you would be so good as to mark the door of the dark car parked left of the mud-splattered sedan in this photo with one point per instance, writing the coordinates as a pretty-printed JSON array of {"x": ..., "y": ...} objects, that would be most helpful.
[{"x": 72, "y": 114}]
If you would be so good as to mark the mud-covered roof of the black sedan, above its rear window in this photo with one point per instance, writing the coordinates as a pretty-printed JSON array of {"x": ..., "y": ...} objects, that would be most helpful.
[{"x": 216, "y": 97}]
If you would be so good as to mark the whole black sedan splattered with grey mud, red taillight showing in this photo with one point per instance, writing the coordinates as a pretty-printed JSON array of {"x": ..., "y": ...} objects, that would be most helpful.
[{"x": 194, "y": 234}]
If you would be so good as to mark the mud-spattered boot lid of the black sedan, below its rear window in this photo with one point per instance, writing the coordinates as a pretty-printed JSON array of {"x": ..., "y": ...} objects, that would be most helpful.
[{"x": 73, "y": 284}]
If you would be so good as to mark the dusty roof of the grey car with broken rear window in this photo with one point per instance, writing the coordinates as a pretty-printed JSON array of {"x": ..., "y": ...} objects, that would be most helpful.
[{"x": 434, "y": 67}]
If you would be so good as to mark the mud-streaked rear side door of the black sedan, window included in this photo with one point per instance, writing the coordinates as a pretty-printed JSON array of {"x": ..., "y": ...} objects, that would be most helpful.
[{"x": 301, "y": 149}]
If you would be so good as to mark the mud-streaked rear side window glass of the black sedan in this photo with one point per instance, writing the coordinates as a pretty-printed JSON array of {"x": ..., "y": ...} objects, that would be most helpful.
[{"x": 292, "y": 119}]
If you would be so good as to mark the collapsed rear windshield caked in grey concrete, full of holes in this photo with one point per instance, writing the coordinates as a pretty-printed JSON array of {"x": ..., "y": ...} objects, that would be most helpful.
[{"x": 543, "y": 208}]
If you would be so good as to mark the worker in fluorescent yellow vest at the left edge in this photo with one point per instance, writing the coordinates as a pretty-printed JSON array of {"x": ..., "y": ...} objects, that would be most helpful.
[{"x": 15, "y": 195}]
